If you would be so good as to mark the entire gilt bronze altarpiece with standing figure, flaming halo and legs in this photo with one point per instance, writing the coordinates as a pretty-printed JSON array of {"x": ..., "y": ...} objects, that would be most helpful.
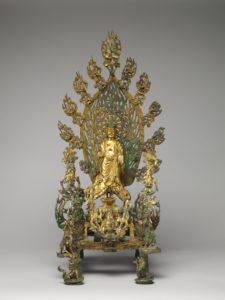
[{"x": 103, "y": 216}]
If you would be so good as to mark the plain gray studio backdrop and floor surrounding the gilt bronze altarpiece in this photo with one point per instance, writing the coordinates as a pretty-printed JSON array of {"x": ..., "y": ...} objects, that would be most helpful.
[{"x": 181, "y": 45}]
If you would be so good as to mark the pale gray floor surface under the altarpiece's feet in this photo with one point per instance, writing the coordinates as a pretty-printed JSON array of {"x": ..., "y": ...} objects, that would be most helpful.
[{"x": 178, "y": 275}]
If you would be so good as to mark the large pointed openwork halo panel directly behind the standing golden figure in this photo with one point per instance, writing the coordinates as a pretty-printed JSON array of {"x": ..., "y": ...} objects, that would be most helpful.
[{"x": 113, "y": 108}]
